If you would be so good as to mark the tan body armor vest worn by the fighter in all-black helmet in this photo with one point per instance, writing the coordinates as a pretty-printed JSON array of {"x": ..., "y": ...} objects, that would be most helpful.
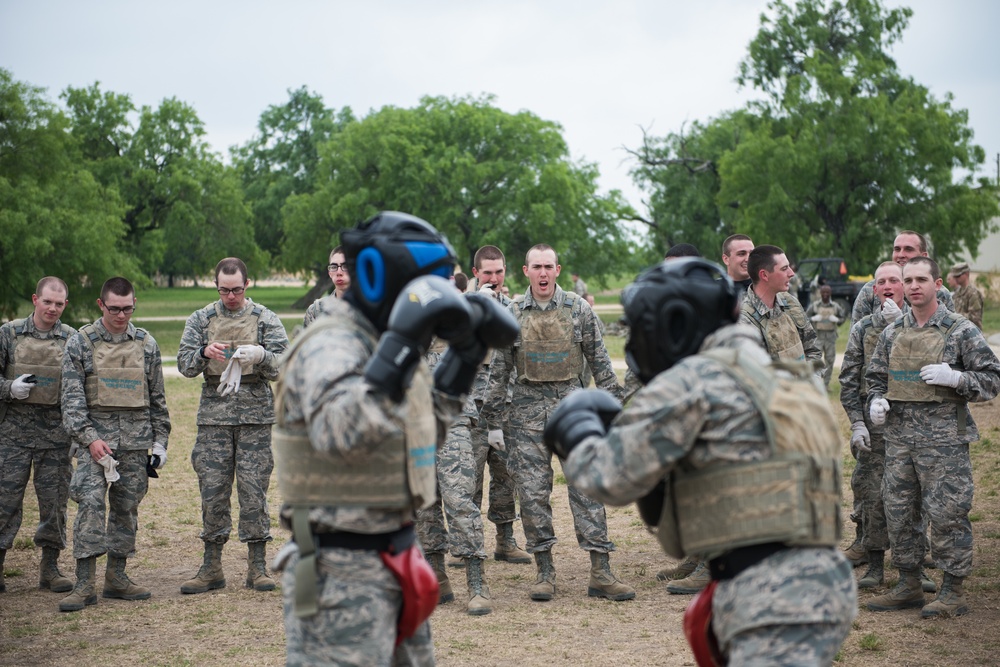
[{"x": 792, "y": 498}]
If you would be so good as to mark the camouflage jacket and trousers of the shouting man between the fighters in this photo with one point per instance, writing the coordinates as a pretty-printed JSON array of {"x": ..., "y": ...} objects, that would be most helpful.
[{"x": 529, "y": 408}]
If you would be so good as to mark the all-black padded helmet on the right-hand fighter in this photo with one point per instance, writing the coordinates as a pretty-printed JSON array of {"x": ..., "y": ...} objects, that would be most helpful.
[{"x": 671, "y": 309}]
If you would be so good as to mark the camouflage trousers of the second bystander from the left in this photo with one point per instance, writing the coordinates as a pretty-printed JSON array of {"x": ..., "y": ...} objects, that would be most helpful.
[{"x": 93, "y": 533}]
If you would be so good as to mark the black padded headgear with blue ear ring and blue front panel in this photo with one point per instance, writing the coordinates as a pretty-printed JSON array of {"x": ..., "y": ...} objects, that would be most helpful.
[{"x": 388, "y": 251}]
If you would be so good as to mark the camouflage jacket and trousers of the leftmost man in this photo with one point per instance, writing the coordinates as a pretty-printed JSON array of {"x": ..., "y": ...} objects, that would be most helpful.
[{"x": 31, "y": 436}]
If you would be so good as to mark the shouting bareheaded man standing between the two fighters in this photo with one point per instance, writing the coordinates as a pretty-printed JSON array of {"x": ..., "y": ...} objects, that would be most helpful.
[{"x": 558, "y": 333}]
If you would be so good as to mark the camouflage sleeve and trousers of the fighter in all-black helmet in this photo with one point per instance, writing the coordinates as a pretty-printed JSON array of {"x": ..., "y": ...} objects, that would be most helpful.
[{"x": 794, "y": 607}]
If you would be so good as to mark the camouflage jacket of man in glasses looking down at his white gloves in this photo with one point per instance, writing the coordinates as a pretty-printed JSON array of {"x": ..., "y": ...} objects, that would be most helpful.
[{"x": 254, "y": 402}]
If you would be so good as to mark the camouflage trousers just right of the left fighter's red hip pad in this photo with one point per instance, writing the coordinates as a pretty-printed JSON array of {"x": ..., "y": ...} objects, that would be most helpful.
[{"x": 456, "y": 485}]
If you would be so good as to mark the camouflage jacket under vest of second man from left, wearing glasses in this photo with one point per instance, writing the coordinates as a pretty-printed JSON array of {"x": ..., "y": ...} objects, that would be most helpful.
[{"x": 121, "y": 429}]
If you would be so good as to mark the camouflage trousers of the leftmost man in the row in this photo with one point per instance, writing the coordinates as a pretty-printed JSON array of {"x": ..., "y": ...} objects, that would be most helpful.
[{"x": 52, "y": 472}]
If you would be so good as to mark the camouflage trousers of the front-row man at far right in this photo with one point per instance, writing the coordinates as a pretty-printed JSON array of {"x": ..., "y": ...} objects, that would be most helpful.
[{"x": 937, "y": 480}]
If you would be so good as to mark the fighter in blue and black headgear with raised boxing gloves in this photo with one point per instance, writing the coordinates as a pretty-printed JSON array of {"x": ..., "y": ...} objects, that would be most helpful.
[{"x": 358, "y": 421}]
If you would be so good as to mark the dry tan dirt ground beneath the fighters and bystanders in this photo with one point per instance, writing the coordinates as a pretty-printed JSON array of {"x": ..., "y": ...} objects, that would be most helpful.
[{"x": 234, "y": 626}]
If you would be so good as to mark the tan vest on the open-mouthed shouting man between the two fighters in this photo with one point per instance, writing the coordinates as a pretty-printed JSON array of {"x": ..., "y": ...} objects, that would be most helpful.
[{"x": 548, "y": 350}]
